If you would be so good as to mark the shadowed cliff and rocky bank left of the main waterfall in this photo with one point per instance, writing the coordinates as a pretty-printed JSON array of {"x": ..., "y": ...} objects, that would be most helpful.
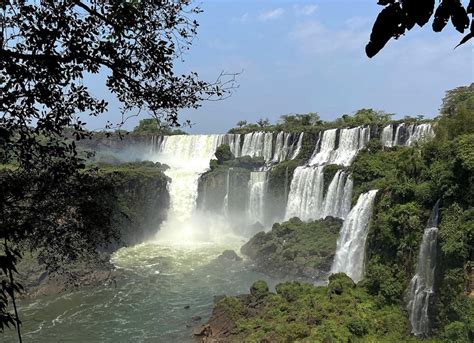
[{"x": 139, "y": 200}]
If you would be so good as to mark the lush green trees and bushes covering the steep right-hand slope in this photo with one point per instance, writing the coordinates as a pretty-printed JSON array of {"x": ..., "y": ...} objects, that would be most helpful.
[{"x": 411, "y": 180}]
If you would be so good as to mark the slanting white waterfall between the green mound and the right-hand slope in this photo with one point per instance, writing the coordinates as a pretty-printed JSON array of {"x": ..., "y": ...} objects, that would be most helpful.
[{"x": 350, "y": 250}]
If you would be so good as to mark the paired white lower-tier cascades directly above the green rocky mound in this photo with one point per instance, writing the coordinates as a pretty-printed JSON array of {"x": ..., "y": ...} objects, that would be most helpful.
[{"x": 306, "y": 199}]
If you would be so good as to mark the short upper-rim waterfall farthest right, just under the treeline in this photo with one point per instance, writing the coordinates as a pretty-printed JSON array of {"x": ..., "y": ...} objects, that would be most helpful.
[{"x": 405, "y": 134}]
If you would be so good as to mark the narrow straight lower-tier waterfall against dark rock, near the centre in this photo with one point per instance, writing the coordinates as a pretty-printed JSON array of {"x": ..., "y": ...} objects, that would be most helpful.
[{"x": 257, "y": 189}]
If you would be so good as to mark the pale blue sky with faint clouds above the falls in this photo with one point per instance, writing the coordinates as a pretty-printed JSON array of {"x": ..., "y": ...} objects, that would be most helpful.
[{"x": 308, "y": 56}]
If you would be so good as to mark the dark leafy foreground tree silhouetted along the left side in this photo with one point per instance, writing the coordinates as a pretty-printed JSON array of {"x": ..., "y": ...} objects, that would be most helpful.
[{"x": 46, "y": 50}]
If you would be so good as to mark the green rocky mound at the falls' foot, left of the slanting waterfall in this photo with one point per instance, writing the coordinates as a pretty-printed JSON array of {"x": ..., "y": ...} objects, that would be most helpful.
[{"x": 295, "y": 248}]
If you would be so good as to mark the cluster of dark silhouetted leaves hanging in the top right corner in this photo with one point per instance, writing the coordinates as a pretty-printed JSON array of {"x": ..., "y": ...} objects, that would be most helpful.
[{"x": 399, "y": 16}]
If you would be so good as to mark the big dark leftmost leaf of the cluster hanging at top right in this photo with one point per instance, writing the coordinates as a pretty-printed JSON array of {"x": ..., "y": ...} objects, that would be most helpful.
[{"x": 389, "y": 23}]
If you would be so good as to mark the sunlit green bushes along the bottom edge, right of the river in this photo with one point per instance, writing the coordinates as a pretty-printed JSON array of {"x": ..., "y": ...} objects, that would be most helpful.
[{"x": 340, "y": 312}]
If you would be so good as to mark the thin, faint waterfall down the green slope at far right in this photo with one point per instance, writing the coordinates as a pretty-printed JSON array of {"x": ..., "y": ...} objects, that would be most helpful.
[{"x": 421, "y": 288}]
